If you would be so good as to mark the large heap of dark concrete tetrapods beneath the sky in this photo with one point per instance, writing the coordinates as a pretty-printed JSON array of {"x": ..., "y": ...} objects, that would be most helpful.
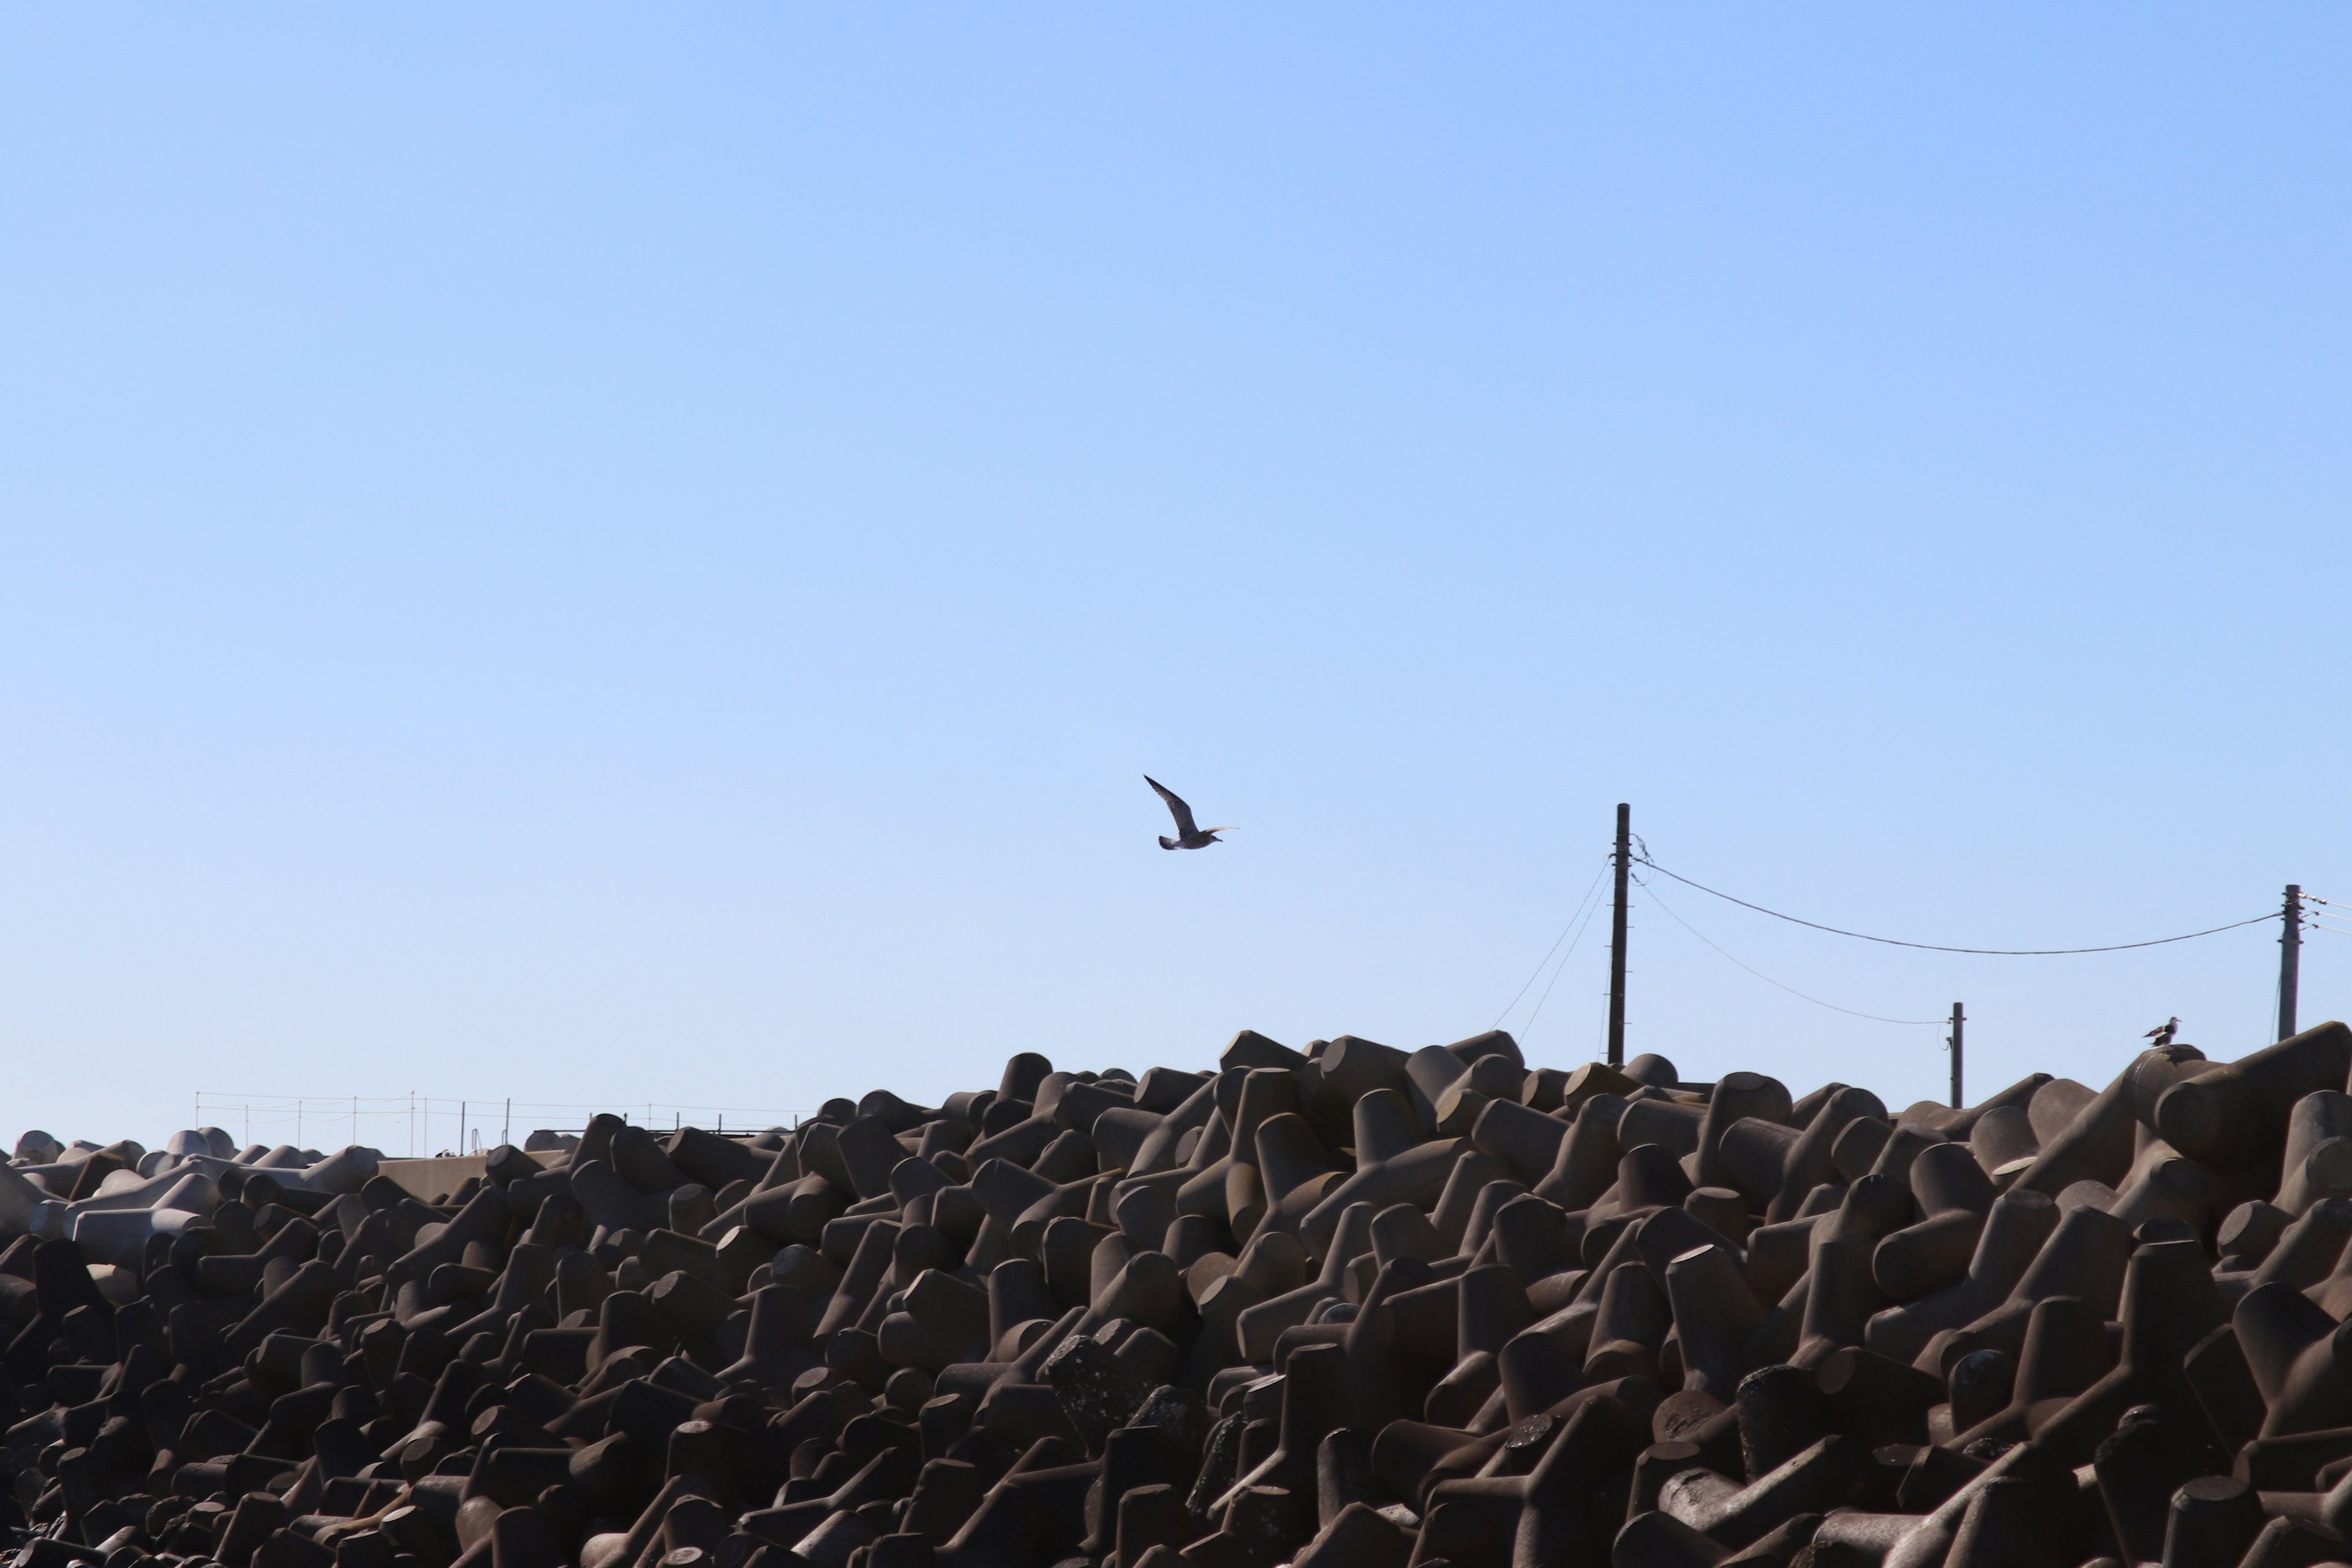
[{"x": 1351, "y": 1308}]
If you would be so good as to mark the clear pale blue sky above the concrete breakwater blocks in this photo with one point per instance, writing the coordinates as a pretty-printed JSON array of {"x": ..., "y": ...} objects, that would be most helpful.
[{"x": 613, "y": 556}]
